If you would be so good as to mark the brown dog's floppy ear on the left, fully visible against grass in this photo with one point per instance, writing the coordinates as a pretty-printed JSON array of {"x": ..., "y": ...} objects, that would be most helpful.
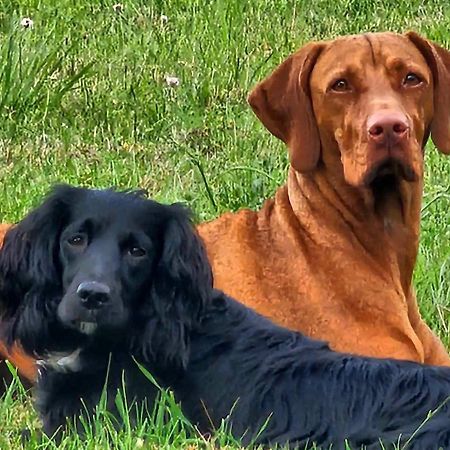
[{"x": 282, "y": 102}]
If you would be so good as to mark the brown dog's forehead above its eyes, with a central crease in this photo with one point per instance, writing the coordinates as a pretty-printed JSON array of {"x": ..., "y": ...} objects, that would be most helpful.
[{"x": 368, "y": 49}]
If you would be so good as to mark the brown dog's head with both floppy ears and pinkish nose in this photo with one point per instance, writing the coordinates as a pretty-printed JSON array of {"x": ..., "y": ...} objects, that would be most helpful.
[{"x": 371, "y": 100}]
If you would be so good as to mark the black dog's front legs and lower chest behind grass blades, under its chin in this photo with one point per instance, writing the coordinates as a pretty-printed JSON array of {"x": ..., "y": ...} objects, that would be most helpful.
[{"x": 61, "y": 398}]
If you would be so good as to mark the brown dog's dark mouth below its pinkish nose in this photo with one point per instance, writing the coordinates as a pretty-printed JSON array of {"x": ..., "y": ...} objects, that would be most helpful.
[{"x": 391, "y": 170}]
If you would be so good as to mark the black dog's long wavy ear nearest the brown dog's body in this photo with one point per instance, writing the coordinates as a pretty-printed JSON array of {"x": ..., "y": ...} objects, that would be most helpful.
[{"x": 181, "y": 286}]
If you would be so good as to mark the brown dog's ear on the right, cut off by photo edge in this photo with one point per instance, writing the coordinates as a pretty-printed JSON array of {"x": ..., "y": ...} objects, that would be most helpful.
[{"x": 438, "y": 58}]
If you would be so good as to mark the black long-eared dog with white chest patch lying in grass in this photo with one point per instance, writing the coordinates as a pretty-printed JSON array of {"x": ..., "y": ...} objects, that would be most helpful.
[{"x": 91, "y": 274}]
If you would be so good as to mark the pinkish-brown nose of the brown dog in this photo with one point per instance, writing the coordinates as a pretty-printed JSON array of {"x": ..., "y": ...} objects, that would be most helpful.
[{"x": 387, "y": 127}]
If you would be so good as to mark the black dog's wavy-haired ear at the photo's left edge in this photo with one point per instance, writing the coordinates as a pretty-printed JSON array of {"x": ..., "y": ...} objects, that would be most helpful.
[{"x": 28, "y": 258}]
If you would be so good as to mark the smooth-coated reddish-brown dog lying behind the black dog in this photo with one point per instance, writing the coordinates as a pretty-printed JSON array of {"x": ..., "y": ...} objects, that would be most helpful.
[{"x": 332, "y": 255}]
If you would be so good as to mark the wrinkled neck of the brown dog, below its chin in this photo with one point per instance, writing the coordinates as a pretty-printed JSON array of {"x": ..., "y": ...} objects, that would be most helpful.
[{"x": 390, "y": 221}]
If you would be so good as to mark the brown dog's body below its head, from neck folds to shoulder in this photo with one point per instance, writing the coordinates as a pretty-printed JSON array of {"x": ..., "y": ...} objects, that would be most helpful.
[{"x": 323, "y": 264}]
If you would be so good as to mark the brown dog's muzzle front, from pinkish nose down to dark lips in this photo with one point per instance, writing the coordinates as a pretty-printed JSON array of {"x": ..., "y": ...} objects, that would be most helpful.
[{"x": 390, "y": 147}]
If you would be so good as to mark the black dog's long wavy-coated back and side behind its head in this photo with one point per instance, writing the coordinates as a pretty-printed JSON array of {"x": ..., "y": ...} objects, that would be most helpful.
[{"x": 243, "y": 363}]
